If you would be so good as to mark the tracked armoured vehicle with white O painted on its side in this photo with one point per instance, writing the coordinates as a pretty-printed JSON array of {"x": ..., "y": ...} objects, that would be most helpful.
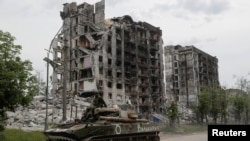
[{"x": 107, "y": 124}]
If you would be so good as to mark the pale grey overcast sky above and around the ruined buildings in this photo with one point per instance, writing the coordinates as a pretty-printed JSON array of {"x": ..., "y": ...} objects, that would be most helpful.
[{"x": 220, "y": 28}]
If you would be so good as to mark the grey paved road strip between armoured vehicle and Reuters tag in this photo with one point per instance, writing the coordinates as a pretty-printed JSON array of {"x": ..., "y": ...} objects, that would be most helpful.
[{"x": 201, "y": 136}]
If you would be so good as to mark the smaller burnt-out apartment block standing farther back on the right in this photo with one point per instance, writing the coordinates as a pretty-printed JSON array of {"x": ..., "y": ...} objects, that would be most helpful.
[{"x": 187, "y": 70}]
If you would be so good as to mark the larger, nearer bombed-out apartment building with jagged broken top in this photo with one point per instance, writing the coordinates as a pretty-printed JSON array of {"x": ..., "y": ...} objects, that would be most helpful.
[{"x": 119, "y": 58}]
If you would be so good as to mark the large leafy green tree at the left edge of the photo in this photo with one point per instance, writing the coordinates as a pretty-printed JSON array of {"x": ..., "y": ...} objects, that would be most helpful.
[{"x": 17, "y": 84}]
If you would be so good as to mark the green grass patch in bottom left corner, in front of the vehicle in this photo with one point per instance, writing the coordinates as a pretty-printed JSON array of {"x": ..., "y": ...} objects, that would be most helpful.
[{"x": 20, "y": 135}]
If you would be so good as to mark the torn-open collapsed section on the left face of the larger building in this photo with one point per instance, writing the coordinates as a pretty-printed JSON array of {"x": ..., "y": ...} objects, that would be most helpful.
[{"x": 84, "y": 59}]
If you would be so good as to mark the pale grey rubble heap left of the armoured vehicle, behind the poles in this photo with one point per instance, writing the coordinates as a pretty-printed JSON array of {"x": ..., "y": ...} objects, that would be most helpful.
[{"x": 33, "y": 117}]
